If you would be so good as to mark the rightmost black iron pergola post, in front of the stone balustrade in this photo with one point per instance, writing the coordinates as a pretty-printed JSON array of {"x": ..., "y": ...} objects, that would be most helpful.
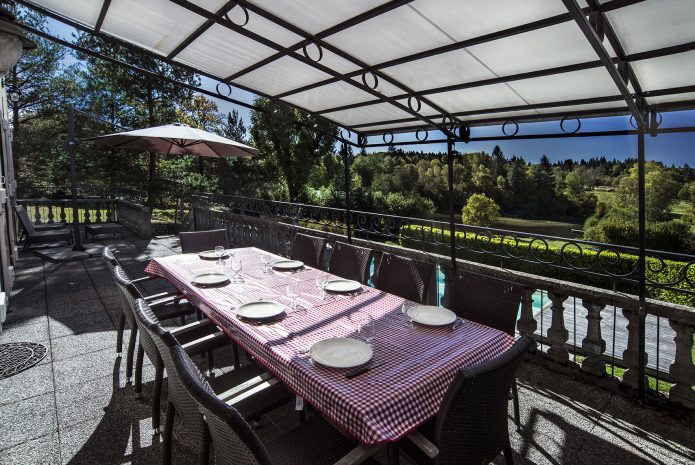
[{"x": 642, "y": 221}]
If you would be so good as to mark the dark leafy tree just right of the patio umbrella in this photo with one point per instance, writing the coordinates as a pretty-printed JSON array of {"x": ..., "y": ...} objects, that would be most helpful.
[{"x": 287, "y": 145}]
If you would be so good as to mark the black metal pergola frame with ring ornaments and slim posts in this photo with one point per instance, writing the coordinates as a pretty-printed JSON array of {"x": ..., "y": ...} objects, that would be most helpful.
[{"x": 455, "y": 128}]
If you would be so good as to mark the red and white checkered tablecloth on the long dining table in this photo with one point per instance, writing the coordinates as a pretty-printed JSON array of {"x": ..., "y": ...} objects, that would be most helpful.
[{"x": 379, "y": 406}]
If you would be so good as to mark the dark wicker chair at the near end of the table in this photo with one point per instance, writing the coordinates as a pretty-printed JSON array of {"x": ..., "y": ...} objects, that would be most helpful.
[{"x": 471, "y": 427}]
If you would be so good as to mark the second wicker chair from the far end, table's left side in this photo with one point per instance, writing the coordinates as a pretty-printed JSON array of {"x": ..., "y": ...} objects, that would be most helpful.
[{"x": 164, "y": 307}]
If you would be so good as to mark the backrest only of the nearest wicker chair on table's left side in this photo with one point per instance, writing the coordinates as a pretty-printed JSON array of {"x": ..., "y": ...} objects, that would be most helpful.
[{"x": 234, "y": 442}]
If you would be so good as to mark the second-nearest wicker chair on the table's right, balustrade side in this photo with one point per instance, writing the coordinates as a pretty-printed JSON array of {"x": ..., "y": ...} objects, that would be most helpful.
[{"x": 403, "y": 277}]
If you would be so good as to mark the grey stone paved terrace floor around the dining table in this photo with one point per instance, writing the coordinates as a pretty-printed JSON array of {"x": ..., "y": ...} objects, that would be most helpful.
[{"x": 75, "y": 406}]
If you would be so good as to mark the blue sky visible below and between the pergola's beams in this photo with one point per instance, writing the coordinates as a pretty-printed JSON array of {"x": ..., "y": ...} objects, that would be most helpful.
[{"x": 675, "y": 149}]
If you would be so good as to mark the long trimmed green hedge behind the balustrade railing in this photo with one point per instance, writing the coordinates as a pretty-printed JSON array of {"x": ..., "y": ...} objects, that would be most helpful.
[{"x": 424, "y": 238}]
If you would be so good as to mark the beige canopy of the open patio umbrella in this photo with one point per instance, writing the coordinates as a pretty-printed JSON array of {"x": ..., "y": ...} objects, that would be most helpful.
[{"x": 178, "y": 139}]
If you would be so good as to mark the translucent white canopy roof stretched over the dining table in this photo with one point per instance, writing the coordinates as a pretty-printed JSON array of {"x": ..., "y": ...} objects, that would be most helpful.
[{"x": 376, "y": 66}]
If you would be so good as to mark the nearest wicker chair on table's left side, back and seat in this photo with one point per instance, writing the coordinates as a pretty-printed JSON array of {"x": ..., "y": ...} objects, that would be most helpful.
[{"x": 235, "y": 442}]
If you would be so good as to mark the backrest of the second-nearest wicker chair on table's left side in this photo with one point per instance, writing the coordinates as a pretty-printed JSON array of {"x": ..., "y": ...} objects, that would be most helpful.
[{"x": 164, "y": 342}]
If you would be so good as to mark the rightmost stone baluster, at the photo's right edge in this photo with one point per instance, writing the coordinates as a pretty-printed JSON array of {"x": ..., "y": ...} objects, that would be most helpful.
[{"x": 682, "y": 370}]
